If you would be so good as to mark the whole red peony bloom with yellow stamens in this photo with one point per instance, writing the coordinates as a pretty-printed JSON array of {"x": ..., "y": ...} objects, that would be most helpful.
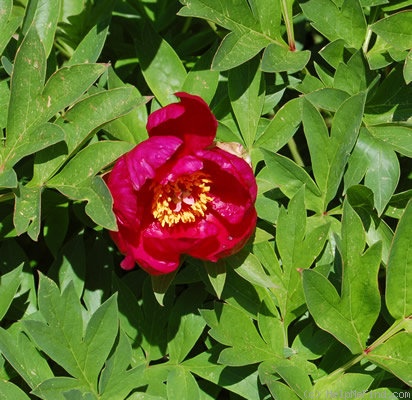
[{"x": 177, "y": 193}]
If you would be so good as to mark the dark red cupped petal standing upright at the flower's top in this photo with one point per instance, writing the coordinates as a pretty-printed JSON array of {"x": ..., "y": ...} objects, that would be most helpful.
[{"x": 190, "y": 119}]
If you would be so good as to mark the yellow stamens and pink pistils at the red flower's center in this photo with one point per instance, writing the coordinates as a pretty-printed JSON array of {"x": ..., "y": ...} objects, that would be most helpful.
[{"x": 182, "y": 200}]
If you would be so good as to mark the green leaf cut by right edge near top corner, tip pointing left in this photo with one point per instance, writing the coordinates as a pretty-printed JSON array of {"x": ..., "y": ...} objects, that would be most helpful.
[{"x": 395, "y": 29}]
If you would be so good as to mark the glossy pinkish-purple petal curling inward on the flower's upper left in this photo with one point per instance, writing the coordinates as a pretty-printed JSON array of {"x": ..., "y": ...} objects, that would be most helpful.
[{"x": 147, "y": 157}]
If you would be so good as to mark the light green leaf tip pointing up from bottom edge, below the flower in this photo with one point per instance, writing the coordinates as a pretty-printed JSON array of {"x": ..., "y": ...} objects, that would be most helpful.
[{"x": 181, "y": 384}]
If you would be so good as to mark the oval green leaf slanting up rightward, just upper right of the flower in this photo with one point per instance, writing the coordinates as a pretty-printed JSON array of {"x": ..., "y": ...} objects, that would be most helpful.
[{"x": 282, "y": 127}]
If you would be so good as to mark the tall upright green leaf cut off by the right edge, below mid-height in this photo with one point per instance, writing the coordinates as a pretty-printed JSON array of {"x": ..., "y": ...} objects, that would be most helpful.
[{"x": 399, "y": 272}]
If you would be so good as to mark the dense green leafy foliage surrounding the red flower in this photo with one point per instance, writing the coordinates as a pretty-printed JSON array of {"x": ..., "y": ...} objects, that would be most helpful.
[{"x": 318, "y": 305}]
